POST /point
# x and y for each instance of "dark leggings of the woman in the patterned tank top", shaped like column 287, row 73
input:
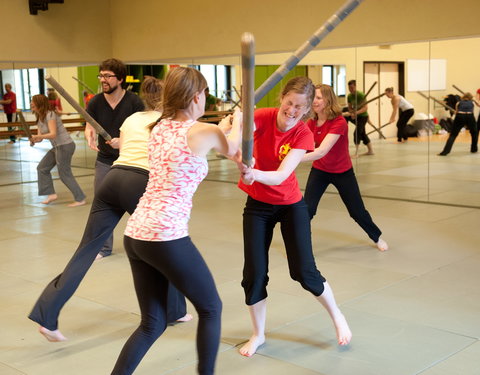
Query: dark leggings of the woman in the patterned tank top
column 154, row 265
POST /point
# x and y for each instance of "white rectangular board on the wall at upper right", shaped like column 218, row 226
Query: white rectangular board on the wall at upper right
column 418, row 72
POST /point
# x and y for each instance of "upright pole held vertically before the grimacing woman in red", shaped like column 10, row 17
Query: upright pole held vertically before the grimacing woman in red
column 248, row 94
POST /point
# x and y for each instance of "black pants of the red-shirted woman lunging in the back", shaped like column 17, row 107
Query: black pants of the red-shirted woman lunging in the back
column 347, row 186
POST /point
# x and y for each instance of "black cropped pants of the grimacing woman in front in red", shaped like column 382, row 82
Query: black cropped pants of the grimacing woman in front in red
column 259, row 220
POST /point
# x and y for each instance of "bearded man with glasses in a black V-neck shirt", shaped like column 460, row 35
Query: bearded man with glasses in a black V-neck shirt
column 110, row 109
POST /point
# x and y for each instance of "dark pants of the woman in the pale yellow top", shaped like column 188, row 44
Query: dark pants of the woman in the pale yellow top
column 119, row 193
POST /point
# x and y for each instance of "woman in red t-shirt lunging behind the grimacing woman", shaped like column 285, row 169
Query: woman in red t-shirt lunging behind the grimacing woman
column 332, row 164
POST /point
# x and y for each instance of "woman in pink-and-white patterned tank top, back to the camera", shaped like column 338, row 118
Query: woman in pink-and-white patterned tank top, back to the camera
column 156, row 238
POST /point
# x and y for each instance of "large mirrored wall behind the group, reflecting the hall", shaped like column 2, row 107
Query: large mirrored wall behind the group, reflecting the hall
column 423, row 73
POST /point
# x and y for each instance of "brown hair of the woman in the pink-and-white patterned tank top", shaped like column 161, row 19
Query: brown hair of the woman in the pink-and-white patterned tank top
column 180, row 86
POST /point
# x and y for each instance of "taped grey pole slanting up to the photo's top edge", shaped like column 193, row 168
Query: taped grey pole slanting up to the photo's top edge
column 305, row 48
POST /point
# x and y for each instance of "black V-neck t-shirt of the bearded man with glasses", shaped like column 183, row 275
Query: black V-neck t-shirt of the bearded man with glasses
column 111, row 120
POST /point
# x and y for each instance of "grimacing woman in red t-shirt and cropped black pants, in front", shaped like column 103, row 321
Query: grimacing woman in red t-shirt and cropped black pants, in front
column 280, row 141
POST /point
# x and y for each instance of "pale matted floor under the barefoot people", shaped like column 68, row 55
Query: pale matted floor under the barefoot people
column 413, row 310
